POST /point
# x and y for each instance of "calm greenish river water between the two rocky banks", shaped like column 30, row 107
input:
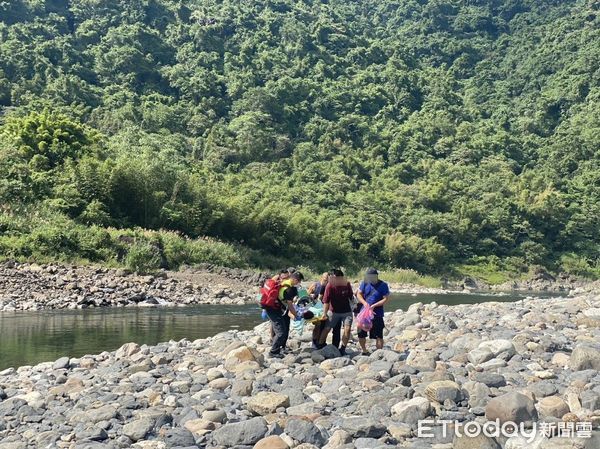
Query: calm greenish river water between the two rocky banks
column 27, row 338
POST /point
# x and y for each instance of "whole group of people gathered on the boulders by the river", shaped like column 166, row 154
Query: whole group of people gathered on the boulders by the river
column 334, row 304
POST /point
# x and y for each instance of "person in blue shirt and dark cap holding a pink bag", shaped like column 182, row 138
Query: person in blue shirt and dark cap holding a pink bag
column 373, row 293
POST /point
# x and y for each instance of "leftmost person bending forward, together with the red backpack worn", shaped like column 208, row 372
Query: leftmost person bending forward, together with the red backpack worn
column 278, row 301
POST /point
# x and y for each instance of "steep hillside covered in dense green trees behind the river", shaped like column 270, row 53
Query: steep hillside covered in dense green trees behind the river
column 435, row 135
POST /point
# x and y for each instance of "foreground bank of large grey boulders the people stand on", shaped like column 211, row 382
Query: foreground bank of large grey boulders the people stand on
column 531, row 361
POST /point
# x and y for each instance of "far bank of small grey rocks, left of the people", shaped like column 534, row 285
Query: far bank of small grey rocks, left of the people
column 39, row 287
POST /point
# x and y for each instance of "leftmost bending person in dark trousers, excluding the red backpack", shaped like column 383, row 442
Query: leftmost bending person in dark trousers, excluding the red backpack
column 280, row 318
